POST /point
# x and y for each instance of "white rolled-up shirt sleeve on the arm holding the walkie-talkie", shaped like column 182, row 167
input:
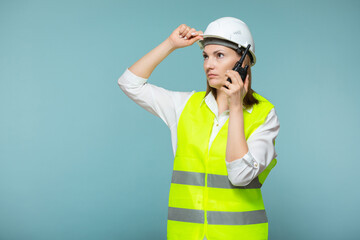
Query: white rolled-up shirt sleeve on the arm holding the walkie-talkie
column 261, row 144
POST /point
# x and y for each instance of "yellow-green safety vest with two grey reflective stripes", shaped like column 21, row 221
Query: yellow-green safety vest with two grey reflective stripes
column 203, row 204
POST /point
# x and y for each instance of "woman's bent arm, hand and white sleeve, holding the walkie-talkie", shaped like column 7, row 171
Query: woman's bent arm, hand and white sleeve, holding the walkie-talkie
column 247, row 159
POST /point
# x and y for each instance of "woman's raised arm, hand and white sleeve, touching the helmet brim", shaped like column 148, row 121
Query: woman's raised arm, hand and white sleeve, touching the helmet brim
column 158, row 101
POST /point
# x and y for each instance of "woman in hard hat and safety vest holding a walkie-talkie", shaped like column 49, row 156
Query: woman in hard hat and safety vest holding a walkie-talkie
column 223, row 139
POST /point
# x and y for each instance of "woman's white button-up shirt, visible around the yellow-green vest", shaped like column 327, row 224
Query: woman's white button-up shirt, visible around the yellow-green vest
column 168, row 106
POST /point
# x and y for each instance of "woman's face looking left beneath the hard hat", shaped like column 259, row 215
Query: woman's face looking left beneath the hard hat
column 218, row 59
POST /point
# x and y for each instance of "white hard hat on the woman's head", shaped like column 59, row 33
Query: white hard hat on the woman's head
column 231, row 29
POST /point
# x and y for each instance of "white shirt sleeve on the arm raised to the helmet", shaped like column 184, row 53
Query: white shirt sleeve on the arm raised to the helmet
column 160, row 102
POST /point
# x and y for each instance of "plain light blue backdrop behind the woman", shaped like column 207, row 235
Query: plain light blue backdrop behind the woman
column 79, row 160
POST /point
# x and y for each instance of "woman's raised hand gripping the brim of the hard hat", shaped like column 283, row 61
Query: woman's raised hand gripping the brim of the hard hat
column 184, row 36
